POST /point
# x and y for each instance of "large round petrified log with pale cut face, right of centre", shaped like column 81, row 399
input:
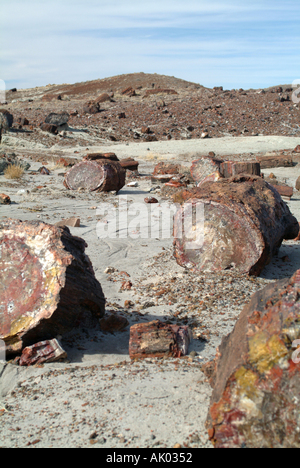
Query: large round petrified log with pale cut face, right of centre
column 245, row 222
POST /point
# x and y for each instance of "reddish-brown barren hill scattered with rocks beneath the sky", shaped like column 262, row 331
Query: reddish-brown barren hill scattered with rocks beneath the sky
column 154, row 108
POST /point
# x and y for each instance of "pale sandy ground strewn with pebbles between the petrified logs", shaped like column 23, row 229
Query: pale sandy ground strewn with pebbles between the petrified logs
column 99, row 398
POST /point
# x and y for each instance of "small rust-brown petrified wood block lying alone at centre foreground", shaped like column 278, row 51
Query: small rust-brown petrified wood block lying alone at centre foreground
column 158, row 339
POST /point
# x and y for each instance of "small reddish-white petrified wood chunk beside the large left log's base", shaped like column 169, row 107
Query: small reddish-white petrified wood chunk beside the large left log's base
column 44, row 351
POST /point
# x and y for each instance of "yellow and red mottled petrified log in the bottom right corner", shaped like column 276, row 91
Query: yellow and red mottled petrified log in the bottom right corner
column 256, row 379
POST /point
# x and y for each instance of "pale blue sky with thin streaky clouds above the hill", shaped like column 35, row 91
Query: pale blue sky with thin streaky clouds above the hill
column 235, row 44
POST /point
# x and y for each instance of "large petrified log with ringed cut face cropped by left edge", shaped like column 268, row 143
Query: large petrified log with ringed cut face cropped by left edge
column 47, row 283
